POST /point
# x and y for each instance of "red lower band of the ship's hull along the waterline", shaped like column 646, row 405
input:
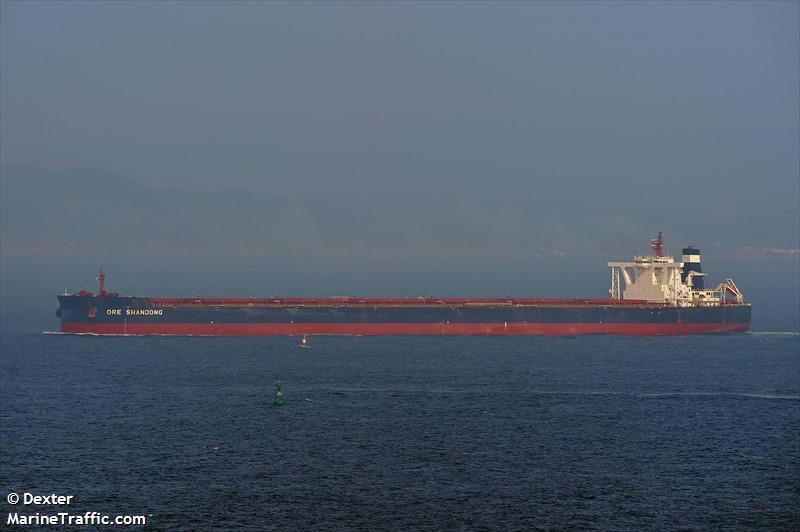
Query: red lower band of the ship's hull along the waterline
column 387, row 329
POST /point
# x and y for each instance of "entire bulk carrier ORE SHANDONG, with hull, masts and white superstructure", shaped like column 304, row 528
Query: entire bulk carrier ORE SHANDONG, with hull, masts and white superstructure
column 653, row 295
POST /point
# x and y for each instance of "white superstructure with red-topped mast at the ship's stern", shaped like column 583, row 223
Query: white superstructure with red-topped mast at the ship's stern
column 659, row 279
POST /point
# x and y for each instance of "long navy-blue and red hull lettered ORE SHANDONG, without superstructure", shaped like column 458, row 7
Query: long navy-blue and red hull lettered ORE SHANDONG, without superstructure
column 113, row 315
